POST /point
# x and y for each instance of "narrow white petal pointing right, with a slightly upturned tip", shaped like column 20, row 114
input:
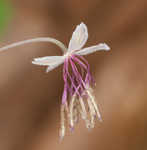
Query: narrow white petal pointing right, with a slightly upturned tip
column 93, row 49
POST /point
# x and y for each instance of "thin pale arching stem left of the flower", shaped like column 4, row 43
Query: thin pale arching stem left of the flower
column 42, row 39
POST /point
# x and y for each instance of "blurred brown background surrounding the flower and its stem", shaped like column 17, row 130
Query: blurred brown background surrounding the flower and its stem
column 30, row 99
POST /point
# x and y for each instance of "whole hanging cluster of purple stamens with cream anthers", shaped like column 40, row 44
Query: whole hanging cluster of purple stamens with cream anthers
column 78, row 100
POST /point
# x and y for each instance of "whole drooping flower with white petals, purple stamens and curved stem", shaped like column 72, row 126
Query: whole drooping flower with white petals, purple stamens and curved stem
column 78, row 100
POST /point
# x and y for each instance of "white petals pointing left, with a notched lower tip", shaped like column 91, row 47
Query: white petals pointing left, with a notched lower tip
column 50, row 61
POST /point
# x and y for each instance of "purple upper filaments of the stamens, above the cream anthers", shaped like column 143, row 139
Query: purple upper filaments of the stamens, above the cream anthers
column 75, row 80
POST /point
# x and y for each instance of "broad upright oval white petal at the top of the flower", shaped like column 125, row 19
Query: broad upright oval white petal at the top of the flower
column 79, row 37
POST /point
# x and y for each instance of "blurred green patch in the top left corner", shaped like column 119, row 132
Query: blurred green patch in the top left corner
column 5, row 14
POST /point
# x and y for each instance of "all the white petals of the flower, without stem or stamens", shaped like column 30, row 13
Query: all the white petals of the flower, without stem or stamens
column 78, row 40
